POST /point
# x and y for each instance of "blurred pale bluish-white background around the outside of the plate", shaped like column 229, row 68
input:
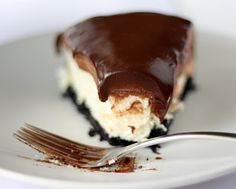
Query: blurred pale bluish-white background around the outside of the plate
column 23, row 18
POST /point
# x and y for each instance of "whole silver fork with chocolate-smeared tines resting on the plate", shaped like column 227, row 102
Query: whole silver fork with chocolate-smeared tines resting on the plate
column 86, row 156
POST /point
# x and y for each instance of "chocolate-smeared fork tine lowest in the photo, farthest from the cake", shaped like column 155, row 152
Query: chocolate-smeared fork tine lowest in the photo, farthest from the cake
column 50, row 150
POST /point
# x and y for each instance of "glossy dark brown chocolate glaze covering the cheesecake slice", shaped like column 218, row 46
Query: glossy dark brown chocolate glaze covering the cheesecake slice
column 135, row 53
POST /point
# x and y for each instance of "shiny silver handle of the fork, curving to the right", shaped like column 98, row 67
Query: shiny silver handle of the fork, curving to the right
column 180, row 136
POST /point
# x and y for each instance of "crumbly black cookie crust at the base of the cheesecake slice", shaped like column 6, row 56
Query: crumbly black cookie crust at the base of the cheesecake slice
column 117, row 141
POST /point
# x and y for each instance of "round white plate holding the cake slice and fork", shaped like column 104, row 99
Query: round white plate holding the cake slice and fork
column 29, row 93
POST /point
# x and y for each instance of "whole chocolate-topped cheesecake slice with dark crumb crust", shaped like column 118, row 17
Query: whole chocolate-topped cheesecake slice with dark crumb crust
column 128, row 73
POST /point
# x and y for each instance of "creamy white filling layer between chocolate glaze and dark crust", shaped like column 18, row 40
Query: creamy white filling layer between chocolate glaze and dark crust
column 129, row 118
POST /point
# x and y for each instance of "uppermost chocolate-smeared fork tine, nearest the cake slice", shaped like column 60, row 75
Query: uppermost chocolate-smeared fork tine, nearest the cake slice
column 66, row 142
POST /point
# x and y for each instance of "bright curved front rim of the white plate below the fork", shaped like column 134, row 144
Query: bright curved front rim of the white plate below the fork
column 173, row 182
